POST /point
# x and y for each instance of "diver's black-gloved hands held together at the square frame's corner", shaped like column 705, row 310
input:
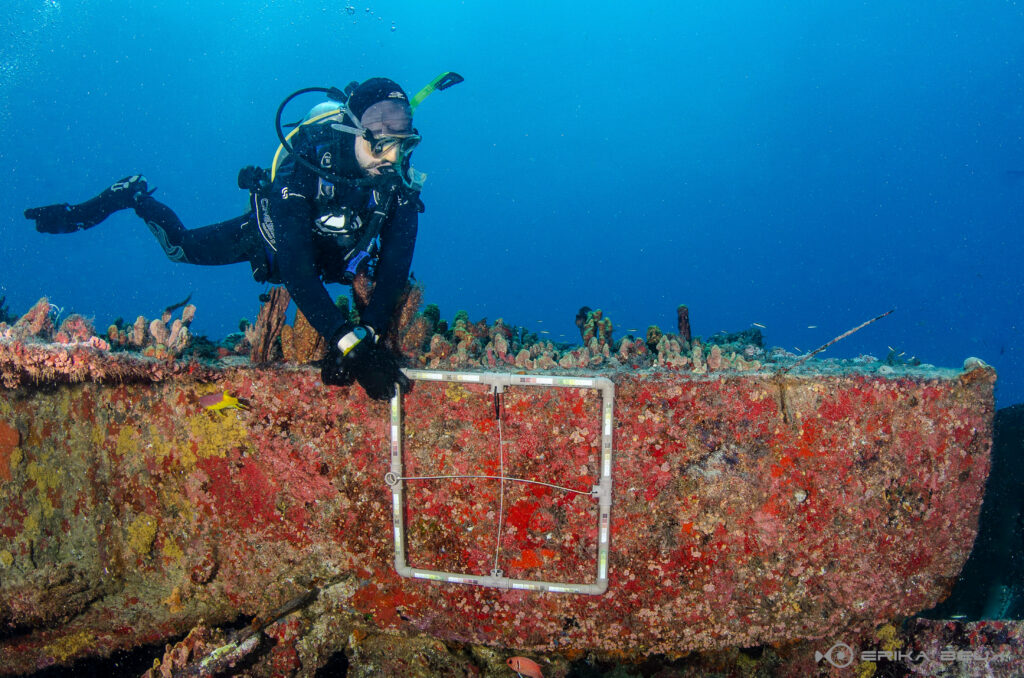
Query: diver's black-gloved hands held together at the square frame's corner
column 356, row 356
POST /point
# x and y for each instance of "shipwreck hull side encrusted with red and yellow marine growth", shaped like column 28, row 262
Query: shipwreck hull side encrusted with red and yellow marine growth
column 746, row 510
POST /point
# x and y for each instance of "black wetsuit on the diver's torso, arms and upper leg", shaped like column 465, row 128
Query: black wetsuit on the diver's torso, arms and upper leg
column 284, row 242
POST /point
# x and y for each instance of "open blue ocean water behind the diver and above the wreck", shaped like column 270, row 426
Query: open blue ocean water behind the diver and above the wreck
column 801, row 165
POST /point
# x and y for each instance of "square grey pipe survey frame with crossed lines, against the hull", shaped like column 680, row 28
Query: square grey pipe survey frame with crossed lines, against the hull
column 602, row 492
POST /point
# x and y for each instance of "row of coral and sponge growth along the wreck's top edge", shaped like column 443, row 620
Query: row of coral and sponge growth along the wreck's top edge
column 419, row 335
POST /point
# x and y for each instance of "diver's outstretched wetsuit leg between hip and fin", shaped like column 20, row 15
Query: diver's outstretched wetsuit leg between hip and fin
column 229, row 242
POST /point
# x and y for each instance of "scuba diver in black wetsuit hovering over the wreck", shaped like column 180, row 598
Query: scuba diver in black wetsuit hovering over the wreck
column 342, row 199
